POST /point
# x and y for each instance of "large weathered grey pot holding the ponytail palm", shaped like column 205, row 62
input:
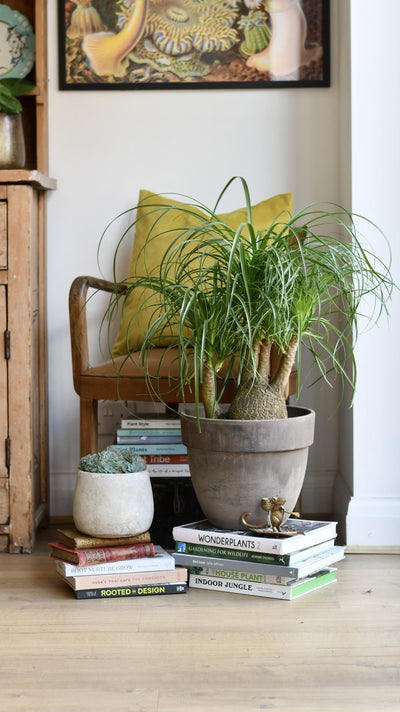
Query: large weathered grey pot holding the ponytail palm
column 235, row 463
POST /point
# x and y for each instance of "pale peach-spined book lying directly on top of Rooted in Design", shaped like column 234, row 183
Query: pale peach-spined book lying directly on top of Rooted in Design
column 140, row 578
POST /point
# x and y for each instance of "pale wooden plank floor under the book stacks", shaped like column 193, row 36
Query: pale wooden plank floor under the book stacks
column 335, row 649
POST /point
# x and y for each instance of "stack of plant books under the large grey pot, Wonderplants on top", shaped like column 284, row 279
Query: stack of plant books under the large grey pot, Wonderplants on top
column 273, row 566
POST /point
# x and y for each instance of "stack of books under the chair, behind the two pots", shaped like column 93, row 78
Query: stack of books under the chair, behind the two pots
column 159, row 442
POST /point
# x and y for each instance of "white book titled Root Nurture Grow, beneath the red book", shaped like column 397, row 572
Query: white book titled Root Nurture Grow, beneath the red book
column 162, row 561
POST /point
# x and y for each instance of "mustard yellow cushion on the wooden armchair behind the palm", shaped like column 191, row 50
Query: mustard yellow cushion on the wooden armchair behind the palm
column 141, row 306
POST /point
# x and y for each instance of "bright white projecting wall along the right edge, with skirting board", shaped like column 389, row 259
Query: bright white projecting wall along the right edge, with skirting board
column 374, row 509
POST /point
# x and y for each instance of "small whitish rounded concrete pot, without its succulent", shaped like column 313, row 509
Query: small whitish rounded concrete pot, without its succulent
column 113, row 505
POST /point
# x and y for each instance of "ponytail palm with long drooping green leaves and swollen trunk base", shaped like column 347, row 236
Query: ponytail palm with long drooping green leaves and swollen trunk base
column 230, row 296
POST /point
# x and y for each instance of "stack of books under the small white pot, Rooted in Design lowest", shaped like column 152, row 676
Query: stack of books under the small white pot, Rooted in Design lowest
column 115, row 568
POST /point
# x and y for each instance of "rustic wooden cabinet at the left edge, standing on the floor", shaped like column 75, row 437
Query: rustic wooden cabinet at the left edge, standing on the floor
column 23, row 389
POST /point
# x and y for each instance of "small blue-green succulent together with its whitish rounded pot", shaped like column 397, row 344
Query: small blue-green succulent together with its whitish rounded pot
column 113, row 495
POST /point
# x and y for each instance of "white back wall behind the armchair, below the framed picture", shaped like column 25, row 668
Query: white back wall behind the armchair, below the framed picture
column 105, row 146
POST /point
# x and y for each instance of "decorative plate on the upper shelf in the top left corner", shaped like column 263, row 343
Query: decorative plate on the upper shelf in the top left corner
column 17, row 44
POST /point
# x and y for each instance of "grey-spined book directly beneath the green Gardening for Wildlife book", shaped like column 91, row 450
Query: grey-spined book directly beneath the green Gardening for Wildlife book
column 309, row 566
